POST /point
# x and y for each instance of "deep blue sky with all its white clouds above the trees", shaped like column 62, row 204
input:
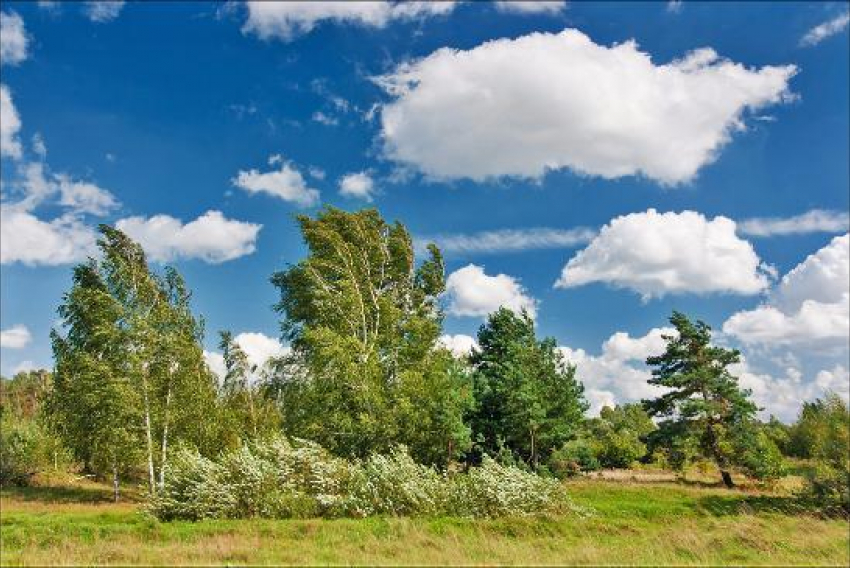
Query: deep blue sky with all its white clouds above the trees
column 549, row 120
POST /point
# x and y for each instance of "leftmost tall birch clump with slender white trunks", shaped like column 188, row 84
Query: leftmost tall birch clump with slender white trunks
column 130, row 372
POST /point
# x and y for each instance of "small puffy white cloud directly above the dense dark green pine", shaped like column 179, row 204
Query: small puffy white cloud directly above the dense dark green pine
column 472, row 293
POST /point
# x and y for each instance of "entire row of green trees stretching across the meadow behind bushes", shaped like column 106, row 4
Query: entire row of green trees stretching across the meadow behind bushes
column 366, row 372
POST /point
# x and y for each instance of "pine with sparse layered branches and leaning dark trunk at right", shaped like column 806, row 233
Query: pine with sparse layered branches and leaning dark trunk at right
column 703, row 399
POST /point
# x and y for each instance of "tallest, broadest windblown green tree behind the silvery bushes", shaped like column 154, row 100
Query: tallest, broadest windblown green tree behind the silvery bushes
column 366, row 371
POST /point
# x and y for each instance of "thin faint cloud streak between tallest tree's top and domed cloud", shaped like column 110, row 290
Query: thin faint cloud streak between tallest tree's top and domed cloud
column 509, row 240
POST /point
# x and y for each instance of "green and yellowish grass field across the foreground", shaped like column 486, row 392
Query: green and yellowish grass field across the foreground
column 630, row 522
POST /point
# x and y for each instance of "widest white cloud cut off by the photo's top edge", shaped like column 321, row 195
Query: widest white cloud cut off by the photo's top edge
column 287, row 20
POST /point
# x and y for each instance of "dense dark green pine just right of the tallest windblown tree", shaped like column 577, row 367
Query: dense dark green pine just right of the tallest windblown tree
column 526, row 396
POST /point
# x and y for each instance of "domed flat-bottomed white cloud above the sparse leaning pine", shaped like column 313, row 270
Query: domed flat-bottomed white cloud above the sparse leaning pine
column 656, row 254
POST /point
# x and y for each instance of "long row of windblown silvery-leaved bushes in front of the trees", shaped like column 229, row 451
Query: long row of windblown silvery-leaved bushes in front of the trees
column 277, row 479
